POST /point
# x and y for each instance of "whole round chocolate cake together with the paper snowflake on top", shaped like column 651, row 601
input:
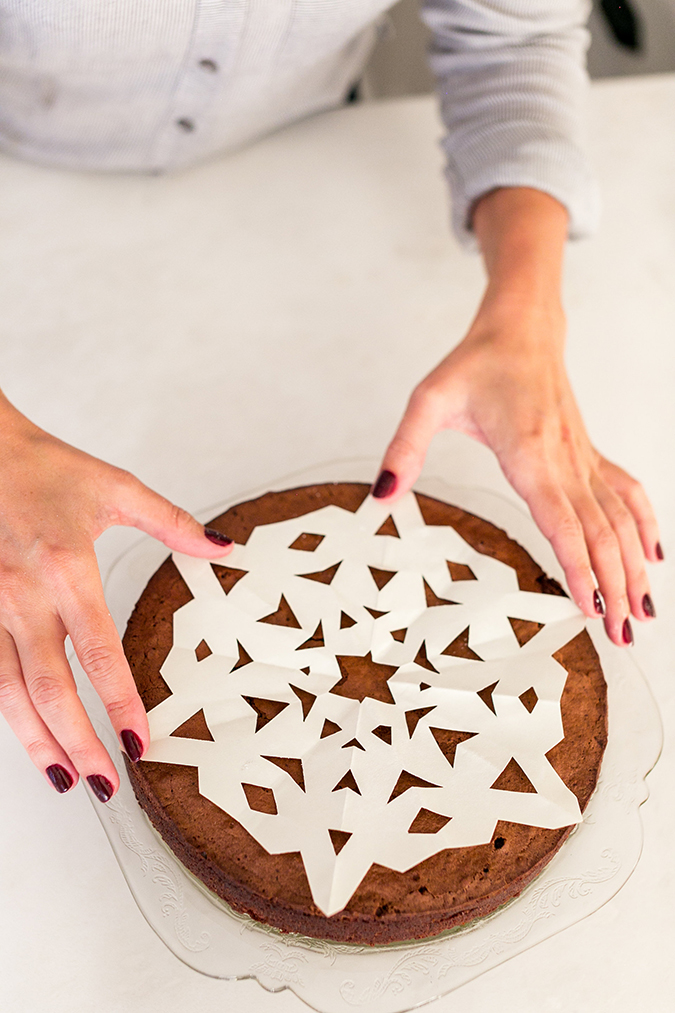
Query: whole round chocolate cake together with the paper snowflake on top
column 374, row 771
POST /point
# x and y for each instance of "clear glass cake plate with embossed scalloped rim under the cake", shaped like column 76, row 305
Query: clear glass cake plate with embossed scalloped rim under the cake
column 592, row 866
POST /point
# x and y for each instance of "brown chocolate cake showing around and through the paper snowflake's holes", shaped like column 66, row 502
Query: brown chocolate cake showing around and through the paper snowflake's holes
column 447, row 889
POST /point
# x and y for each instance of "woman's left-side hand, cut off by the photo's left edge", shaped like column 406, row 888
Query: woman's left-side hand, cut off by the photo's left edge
column 54, row 502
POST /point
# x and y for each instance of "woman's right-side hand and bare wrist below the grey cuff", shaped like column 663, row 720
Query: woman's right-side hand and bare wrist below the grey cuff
column 506, row 385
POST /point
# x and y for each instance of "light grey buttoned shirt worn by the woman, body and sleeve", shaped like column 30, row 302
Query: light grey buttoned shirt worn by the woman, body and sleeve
column 158, row 85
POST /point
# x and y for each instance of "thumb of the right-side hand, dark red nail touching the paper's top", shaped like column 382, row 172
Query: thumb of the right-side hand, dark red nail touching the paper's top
column 406, row 454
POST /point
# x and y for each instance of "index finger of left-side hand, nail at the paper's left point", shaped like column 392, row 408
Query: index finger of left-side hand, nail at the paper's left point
column 97, row 643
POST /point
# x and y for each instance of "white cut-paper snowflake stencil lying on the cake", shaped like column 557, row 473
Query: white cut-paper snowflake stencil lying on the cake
column 315, row 751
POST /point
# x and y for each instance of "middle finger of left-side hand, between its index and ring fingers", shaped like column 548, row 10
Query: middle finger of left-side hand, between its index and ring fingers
column 52, row 689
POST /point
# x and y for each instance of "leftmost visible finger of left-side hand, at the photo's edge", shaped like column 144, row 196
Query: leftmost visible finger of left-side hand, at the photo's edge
column 28, row 726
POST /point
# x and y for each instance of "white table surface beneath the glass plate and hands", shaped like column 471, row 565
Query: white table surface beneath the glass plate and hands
column 218, row 329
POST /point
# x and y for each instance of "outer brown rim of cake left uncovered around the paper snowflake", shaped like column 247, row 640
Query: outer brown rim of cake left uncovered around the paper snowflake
column 447, row 890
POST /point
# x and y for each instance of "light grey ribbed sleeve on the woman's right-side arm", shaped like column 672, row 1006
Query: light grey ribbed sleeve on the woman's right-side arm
column 513, row 88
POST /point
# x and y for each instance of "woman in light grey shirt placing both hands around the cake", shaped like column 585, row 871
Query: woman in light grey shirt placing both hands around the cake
column 152, row 87
